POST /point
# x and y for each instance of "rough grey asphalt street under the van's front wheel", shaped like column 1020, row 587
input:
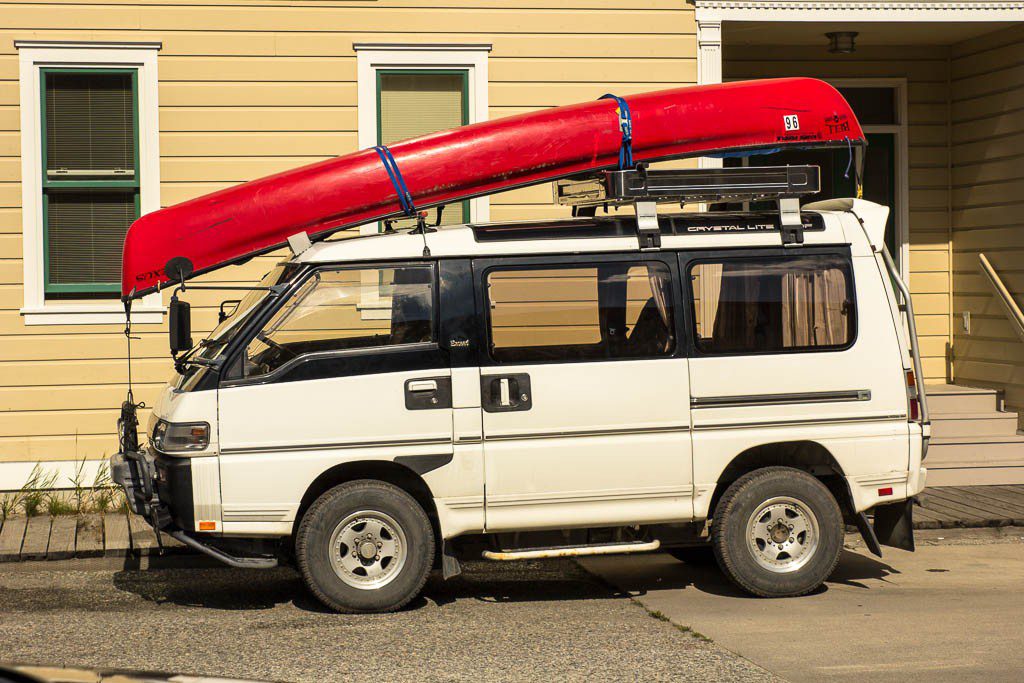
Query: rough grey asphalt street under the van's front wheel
column 537, row 622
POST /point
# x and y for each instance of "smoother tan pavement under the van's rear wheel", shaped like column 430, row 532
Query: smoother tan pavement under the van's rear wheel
column 952, row 612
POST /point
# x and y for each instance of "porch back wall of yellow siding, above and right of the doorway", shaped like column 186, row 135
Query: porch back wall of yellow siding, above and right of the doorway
column 926, row 70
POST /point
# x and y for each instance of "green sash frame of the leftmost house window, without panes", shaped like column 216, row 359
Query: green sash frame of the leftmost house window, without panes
column 123, row 185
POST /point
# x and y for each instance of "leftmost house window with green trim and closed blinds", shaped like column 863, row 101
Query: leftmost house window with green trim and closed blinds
column 91, row 178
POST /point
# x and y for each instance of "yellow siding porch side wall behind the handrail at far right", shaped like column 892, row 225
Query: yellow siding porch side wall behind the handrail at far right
column 989, row 206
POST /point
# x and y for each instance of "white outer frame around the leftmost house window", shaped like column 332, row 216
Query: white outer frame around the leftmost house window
column 34, row 56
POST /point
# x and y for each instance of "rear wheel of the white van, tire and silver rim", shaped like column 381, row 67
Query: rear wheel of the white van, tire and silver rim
column 778, row 533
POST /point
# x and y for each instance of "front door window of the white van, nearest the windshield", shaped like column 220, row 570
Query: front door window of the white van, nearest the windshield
column 345, row 310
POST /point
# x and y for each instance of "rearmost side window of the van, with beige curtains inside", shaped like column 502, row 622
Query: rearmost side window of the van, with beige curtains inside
column 774, row 306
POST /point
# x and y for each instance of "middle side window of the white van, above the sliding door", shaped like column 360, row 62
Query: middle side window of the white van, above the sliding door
column 581, row 313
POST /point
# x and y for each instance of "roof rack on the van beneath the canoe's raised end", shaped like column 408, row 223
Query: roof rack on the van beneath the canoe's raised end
column 646, row 190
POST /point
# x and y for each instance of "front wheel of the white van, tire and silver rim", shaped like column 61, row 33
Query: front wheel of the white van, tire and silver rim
column 353, row 519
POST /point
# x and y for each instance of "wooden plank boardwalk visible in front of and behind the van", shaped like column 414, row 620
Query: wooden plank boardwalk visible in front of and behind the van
column 120, row 535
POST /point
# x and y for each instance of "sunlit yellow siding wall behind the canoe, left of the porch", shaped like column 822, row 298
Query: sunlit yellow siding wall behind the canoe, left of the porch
column 248, row 89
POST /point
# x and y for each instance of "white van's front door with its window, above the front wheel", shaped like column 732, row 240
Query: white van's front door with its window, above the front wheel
column 348, row 369
